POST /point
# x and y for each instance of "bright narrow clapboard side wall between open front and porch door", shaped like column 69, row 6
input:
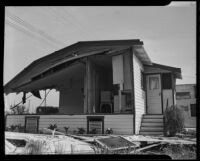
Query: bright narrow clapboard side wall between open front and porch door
column 139, row 93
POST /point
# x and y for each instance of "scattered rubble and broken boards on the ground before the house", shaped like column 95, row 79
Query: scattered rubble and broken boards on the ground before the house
column 54, row 142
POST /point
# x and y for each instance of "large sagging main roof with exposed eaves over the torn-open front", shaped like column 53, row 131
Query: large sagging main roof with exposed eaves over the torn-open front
column 61, row 59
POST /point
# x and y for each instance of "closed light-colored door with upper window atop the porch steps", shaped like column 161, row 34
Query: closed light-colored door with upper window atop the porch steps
column 154, row 105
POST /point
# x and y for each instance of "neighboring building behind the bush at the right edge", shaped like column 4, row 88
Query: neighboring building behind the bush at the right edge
column 186, row 100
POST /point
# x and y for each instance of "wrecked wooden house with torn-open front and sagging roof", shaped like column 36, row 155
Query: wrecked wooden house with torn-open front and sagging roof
column 102, row 84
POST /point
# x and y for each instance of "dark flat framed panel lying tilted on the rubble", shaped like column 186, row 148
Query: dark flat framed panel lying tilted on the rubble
column 115, row 143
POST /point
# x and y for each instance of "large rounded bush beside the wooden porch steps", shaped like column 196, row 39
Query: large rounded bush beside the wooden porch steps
column 173, row 120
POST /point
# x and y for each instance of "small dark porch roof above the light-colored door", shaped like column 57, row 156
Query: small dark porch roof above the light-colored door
column 173, row 70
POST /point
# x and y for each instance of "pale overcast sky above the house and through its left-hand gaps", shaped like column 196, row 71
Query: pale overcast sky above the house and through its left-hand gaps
column 168, row 33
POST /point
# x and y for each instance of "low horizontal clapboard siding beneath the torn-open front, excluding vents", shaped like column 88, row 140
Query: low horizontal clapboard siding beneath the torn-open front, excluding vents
column 121, row 124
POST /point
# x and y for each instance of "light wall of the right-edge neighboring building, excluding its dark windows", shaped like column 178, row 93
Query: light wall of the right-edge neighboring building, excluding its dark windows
column 185, row 103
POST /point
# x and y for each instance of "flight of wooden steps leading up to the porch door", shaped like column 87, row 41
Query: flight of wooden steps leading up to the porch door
column 152, row 125
